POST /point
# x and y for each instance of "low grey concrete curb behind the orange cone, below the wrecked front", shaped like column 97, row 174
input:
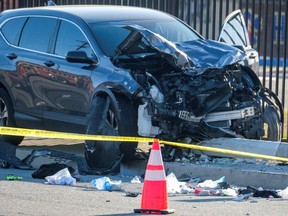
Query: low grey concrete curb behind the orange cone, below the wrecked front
column 275, row 177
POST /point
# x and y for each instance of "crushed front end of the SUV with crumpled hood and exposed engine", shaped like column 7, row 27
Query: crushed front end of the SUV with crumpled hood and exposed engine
column 197, row 89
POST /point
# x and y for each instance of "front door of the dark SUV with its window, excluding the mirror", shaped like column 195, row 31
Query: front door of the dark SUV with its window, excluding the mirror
column 66, row 86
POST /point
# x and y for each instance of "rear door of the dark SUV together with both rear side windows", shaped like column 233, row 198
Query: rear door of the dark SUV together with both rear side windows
column 25, row 62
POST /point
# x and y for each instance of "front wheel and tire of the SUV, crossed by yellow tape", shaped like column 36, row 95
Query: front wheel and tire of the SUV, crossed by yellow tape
column 108, row 118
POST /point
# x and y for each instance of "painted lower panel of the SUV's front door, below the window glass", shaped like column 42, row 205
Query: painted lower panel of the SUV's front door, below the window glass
column 66, row 91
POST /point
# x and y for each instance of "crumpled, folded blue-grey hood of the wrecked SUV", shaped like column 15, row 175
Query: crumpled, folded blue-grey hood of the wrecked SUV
column 193, row 56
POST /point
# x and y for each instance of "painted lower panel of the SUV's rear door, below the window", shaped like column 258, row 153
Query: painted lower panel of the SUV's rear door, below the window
column 22, row 77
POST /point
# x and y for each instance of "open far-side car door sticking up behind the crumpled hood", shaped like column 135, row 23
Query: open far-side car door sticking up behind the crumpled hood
column 234, row 32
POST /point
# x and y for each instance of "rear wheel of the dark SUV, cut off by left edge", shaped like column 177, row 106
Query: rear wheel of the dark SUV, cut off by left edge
column 7, row 117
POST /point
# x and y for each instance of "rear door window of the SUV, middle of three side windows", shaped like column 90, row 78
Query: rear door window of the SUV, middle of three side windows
column 36, row 33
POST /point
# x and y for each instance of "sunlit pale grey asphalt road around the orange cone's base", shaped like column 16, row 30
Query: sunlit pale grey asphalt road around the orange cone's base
column 29, row 197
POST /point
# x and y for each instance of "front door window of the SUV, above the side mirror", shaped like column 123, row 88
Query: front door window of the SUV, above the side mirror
column 70, row 38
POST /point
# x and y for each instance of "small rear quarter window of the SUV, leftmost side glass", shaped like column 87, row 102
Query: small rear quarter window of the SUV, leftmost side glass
column 12, row 29
